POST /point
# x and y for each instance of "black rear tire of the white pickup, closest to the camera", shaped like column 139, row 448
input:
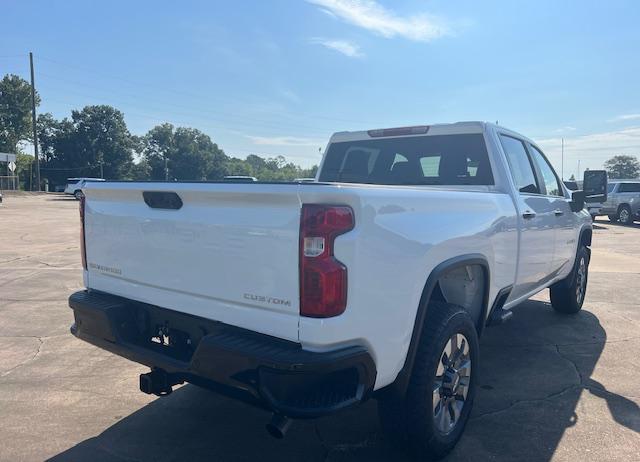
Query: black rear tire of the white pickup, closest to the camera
column 413, row 419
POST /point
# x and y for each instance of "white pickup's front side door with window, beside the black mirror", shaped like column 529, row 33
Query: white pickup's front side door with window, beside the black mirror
column 564, row 219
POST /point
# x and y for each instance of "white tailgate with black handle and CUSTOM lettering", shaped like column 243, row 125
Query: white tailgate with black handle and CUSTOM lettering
column 229, row 253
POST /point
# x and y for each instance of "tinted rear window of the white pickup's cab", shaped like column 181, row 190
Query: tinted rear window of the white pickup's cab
column 415, row 160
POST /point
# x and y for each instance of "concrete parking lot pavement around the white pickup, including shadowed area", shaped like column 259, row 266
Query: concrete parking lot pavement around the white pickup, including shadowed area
column 551, row 387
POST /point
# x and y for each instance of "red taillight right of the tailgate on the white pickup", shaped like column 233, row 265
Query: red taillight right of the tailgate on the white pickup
column 323, row 279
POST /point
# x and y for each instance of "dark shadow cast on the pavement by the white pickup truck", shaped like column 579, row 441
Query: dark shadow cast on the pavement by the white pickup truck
column 533, row 371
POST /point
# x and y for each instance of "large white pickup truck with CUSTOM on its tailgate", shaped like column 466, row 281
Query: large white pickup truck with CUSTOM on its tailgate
column 375, row 281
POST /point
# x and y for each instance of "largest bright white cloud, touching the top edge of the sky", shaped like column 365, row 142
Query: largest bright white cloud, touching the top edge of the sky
column 375, row 18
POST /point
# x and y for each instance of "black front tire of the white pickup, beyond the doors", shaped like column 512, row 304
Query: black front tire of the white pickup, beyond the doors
column 565, row 296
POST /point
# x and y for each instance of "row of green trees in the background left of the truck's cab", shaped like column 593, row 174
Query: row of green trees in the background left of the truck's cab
column 95, row 141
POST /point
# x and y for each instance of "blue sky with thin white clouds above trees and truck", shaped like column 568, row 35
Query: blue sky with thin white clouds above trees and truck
column 278, row 77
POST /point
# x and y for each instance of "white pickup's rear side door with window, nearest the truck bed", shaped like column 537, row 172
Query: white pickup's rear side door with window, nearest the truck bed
column 536, row 220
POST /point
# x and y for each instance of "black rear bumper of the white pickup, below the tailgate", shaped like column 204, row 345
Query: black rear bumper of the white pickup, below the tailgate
column 269, row 372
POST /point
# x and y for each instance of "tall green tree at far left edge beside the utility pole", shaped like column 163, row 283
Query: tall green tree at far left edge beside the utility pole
column 15, row 112
